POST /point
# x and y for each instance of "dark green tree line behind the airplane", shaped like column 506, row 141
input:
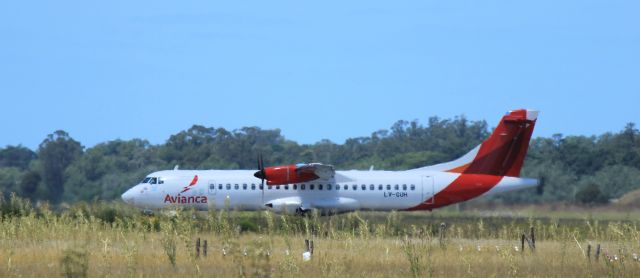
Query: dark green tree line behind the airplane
column 574, row 169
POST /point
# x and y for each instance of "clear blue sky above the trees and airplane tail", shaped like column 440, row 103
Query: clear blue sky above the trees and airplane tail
column 103, row 70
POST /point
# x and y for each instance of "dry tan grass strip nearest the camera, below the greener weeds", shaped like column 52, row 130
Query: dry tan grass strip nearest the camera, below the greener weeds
column 143, row 256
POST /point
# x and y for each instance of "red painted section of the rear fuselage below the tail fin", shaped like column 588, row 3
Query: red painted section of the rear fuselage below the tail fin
column 465, row 187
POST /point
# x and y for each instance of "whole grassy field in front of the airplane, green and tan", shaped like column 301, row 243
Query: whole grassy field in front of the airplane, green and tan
column 112, row 240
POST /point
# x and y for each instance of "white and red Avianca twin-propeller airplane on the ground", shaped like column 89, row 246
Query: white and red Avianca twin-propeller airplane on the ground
column 491, row 167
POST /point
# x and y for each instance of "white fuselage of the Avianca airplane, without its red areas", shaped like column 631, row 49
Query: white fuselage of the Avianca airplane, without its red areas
column 347, row 191
